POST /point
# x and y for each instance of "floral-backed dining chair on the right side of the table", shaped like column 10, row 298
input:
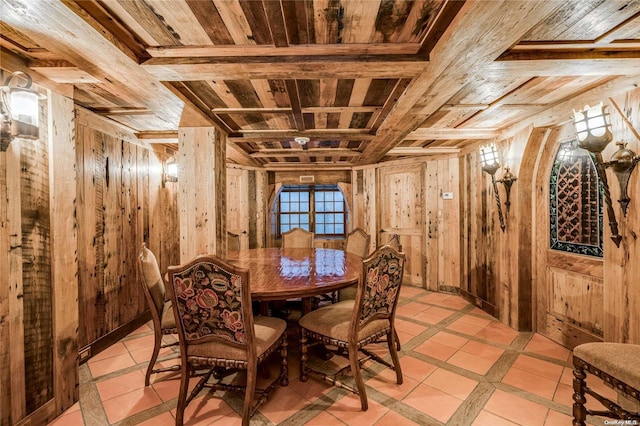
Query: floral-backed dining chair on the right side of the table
column 353, row 325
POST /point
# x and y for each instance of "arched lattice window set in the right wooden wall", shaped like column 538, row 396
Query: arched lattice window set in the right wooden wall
column 575, row 202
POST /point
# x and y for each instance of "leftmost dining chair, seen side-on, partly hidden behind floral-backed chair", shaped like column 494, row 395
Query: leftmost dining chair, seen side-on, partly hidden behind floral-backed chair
column 161, row 309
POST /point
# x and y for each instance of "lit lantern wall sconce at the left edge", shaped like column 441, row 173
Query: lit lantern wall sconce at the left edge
column 18, row 110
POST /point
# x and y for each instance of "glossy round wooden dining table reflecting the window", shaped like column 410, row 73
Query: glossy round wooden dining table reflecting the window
column 286, row 273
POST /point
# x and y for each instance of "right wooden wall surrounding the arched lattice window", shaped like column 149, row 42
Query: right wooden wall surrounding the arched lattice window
column 569, row 298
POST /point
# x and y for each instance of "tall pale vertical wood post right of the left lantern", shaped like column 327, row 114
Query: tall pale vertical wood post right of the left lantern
column 64, row 247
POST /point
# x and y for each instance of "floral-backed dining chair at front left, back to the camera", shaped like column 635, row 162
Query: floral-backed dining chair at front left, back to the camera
column 217, row 330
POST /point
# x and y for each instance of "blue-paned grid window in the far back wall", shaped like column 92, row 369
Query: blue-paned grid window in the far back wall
column 317, row 208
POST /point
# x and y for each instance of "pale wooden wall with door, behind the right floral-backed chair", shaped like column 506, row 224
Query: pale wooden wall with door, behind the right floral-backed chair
column 405, row 197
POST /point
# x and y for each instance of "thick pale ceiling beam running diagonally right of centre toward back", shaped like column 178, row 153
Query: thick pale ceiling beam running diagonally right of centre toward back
column 469, row 48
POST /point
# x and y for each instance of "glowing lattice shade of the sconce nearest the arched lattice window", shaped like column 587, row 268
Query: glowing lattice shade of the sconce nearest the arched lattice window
column 593, row 127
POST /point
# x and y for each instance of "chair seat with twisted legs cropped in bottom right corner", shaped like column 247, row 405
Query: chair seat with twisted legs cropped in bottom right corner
column 616, row 364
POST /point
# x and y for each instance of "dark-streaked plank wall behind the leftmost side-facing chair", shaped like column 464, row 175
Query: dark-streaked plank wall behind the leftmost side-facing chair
column 122, row 203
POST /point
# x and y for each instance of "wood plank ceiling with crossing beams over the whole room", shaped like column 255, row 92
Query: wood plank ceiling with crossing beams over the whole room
column 364, row 80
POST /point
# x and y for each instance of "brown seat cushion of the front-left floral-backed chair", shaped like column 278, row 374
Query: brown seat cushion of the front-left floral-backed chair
column 267, row 332
